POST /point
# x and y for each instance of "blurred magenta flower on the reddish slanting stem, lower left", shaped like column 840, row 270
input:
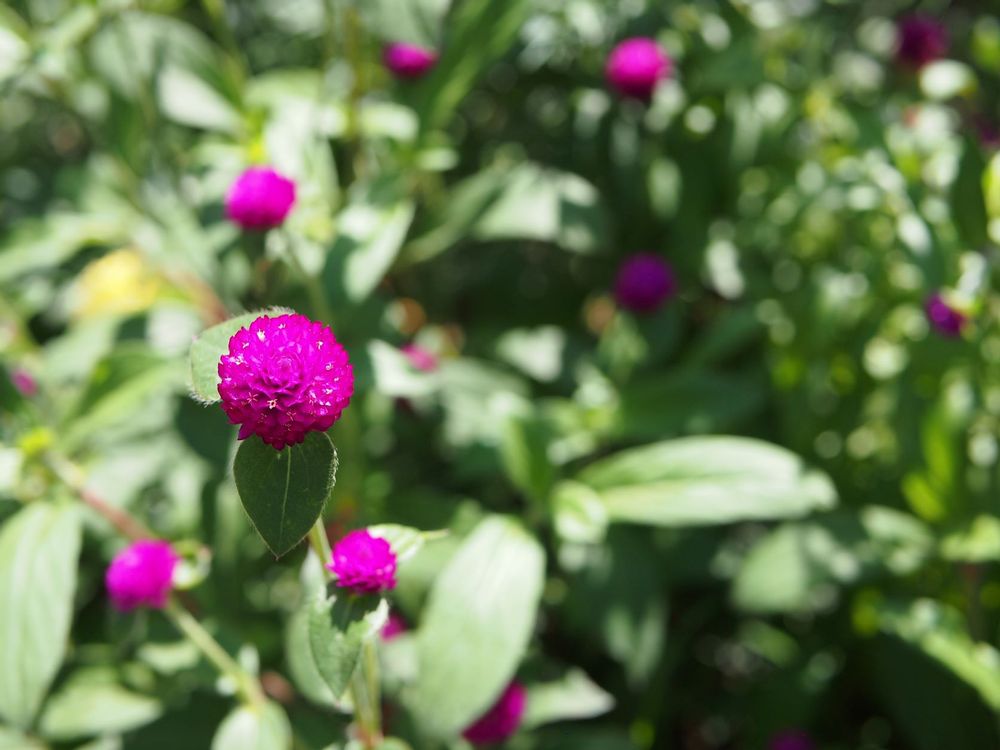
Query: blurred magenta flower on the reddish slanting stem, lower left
column 141, row 575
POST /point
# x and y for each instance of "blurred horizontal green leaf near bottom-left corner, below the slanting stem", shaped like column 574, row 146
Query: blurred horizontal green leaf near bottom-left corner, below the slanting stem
column 88, row 706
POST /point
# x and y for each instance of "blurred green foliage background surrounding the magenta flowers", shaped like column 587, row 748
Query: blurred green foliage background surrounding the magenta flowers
column 772, row 505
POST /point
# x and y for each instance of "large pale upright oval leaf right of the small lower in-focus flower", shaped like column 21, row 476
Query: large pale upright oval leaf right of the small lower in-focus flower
column 476, row 625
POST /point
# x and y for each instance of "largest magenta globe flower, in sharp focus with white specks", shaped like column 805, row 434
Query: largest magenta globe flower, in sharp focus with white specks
column 284, row 377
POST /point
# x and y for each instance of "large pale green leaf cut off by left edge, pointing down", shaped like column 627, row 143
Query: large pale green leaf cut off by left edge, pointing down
column 39, row 547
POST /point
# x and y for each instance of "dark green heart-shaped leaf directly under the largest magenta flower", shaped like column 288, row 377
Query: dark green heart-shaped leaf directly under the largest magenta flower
column 283, row 492
